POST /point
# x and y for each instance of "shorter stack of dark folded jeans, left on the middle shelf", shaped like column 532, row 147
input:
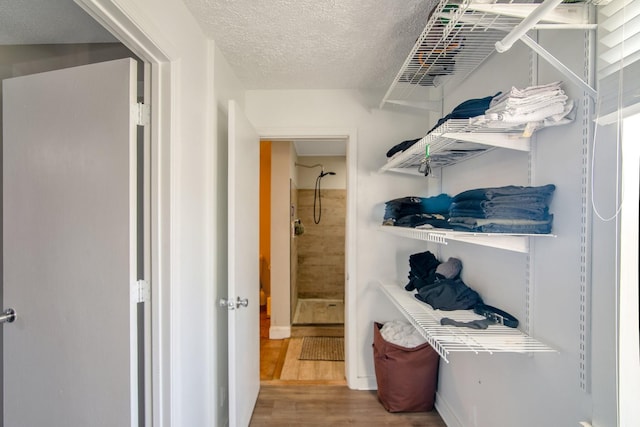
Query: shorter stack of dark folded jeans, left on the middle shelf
column 413, row 211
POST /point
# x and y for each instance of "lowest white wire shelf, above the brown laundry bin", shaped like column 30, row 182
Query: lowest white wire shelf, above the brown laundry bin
column 450, row 339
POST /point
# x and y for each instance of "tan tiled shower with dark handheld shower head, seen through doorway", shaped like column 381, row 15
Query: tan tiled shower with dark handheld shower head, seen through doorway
column 318, row 245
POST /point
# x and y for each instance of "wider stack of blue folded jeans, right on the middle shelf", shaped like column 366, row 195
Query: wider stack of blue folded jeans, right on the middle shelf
column 510, row 209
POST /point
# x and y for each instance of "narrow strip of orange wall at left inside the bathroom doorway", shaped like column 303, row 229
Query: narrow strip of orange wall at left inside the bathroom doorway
column 265, row 211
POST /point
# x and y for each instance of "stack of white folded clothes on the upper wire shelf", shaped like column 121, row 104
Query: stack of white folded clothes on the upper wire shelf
column 533, row 107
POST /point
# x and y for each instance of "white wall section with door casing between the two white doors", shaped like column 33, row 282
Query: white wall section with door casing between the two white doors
column 171, row 36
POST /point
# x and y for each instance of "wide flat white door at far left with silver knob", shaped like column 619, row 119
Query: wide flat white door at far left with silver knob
column 69, row 208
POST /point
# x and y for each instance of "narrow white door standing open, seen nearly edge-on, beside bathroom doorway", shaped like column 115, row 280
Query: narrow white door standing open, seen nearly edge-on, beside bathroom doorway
column 244, row 287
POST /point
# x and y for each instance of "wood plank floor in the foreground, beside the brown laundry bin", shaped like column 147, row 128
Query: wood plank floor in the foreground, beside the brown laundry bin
column 326, row 405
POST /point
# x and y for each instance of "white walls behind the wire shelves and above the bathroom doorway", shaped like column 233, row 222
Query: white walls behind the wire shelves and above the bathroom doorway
column 476, row 390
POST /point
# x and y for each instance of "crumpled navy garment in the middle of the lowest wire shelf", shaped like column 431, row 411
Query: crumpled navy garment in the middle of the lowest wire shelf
column 449, row 294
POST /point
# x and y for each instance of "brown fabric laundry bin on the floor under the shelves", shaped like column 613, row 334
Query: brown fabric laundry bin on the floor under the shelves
column 407, row 377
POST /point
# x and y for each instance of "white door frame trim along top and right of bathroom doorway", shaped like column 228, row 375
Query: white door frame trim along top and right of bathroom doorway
column 349, row 135
